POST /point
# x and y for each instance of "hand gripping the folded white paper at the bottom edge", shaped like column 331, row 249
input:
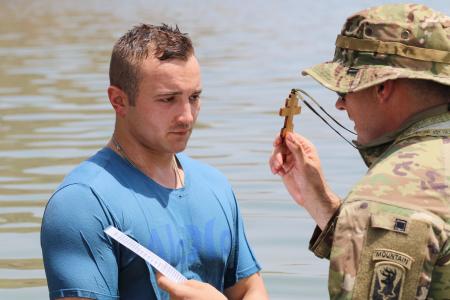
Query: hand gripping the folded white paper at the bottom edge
column 189, row 290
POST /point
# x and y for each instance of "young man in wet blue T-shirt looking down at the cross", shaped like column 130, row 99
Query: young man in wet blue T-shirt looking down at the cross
column 181, row 209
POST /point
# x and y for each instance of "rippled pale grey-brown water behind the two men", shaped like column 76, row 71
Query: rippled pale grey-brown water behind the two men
column 54, row 113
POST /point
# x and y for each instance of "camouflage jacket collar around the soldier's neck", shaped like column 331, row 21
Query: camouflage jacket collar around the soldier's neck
column 432, row 122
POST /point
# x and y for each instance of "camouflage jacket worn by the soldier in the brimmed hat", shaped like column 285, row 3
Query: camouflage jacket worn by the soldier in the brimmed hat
column 390, row 237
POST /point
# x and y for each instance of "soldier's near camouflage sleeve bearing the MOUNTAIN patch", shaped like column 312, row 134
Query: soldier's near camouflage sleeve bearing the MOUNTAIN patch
column 384, row 251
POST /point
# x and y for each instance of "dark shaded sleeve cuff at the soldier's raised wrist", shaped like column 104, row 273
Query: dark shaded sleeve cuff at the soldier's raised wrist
column 321, row 241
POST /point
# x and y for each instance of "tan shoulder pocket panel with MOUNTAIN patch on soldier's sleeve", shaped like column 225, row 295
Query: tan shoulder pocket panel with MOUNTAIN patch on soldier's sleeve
column 392, row 258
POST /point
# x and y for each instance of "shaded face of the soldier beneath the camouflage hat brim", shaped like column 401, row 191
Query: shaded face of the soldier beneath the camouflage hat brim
column 363, row 109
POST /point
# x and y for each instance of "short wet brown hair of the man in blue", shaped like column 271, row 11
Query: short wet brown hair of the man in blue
column 162, row 42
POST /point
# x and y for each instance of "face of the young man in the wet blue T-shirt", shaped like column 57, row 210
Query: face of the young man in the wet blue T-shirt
column 166, row 106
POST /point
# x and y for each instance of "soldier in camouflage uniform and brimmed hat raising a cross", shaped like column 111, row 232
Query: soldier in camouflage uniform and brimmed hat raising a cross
column 389, row 239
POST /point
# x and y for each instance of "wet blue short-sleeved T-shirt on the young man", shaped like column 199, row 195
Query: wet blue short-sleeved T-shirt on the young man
column 197, row 229
